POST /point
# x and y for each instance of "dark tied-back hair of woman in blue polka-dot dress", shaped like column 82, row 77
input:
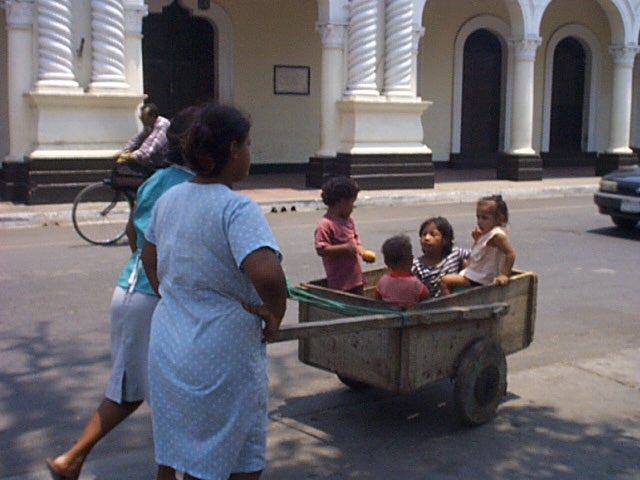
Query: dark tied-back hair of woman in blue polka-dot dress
column 207, row 146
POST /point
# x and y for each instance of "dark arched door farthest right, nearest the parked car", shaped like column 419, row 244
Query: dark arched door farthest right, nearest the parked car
column 567, row 98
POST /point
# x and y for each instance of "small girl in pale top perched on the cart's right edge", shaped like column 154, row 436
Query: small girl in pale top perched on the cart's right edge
column 492, row 255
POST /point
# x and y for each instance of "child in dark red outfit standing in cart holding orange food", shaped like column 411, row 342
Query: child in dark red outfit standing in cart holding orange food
column 336, row 238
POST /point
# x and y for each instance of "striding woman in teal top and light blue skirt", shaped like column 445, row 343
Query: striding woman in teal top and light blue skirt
column 131, row 310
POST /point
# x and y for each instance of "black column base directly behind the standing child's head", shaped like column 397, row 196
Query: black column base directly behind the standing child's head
column 375, row 171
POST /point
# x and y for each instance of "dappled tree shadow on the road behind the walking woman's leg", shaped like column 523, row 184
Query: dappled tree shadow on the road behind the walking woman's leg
column 49, row 389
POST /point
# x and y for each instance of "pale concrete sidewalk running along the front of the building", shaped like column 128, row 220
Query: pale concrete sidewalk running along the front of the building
column 279, row 192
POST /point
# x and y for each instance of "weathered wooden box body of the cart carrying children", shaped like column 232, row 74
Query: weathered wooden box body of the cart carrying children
column 404, row 359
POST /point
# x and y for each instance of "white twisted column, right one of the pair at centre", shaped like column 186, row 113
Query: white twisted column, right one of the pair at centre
column 398, row 48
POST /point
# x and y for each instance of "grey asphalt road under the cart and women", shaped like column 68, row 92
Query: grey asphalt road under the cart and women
column 55, row 292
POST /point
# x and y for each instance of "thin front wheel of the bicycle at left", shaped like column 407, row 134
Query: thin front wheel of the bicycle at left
column 100, row 213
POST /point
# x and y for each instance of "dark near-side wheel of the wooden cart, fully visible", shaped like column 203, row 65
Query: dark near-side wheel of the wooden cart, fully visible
column 480, row 382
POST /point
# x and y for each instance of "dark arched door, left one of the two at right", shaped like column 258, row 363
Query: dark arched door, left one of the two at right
column 481, row 99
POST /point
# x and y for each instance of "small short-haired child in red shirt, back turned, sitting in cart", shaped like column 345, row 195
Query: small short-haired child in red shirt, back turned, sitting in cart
column 399, row 286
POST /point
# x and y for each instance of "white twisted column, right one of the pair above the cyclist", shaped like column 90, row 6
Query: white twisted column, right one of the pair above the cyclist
column 107, row 37
